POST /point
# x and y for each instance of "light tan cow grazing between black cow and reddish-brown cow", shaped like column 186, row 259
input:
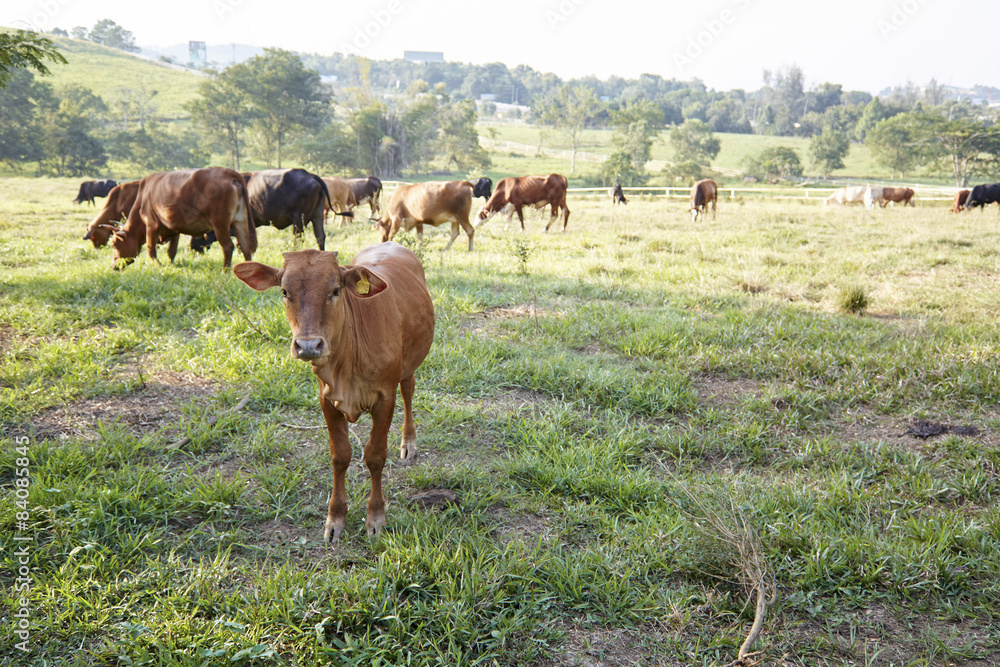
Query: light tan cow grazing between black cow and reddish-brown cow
column 431, row 203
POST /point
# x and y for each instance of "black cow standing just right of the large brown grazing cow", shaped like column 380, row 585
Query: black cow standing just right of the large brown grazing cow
column 289, row 197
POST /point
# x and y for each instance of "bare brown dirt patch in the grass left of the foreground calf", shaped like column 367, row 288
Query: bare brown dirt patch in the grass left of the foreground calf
column 155, row 405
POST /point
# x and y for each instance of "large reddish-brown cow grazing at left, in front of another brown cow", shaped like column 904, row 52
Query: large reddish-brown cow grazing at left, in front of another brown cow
column 190, row 201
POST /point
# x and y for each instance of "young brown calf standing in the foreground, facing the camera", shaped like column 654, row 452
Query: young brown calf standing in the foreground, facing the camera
column 366, row 328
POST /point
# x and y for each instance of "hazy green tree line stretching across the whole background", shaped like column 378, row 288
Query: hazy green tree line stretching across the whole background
column 393, row 117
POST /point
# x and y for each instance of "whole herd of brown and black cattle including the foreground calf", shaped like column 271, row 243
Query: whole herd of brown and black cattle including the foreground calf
column 365, row 326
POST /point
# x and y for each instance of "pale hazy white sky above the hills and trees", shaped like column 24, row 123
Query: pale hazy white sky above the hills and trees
column 861, row 44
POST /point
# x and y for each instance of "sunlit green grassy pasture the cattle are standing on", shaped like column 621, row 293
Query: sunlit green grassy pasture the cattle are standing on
column 581, row 389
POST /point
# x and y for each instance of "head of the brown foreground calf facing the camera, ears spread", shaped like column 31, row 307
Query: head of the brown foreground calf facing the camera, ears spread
column 316, row 291
